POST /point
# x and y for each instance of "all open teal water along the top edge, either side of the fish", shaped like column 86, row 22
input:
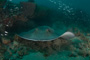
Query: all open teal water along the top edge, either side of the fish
column 81, row 4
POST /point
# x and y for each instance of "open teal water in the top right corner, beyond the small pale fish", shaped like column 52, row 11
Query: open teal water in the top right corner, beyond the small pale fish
column 81, row 4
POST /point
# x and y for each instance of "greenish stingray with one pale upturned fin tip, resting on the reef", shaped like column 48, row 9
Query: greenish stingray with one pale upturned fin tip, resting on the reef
column 44, row 33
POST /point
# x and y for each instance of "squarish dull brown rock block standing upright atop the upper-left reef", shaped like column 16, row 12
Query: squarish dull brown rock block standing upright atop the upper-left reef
column 28, row 8
